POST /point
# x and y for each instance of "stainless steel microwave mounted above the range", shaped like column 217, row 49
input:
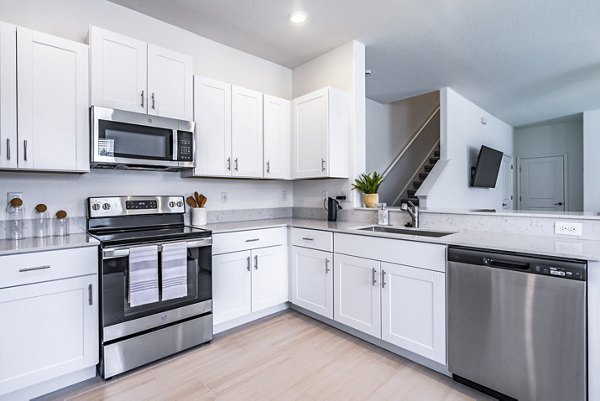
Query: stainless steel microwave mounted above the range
column 126, row 140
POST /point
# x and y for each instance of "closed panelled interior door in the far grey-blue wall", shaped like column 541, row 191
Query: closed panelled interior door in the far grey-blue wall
column 542, row 183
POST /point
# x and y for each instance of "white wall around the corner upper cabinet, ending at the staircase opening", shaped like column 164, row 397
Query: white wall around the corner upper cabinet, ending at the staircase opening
column 342, row 68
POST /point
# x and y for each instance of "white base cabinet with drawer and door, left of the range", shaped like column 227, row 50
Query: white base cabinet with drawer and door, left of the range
column 49, row 309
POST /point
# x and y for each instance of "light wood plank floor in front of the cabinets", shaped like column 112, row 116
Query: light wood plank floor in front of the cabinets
column 286, row 357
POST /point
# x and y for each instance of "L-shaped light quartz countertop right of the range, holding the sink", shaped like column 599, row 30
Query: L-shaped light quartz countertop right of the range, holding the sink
column 531, row 244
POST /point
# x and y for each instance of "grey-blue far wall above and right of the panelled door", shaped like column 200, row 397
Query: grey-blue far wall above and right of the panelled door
column 559, row 138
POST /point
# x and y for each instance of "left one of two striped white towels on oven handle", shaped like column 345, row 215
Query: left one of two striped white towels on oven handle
column 143, row 275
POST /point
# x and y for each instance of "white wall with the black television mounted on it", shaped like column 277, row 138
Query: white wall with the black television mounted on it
column 462, row 135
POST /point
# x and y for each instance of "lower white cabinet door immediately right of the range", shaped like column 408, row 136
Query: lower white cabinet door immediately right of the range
column 231, row 286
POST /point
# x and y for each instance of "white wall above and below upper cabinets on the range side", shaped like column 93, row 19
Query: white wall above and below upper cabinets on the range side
column 70, row 19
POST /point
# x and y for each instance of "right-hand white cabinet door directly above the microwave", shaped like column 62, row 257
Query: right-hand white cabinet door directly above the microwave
column 169, row 83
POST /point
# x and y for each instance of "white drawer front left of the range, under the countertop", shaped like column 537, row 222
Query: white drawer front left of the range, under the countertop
column 36, row 267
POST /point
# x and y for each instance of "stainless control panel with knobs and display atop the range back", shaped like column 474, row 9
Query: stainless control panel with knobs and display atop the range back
column 113, row 206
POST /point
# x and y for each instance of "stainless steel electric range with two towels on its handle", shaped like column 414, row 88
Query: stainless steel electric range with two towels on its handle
column 155, row 278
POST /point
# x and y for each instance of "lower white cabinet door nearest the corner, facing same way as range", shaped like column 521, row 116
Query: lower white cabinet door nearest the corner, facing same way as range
column 269, row 277
